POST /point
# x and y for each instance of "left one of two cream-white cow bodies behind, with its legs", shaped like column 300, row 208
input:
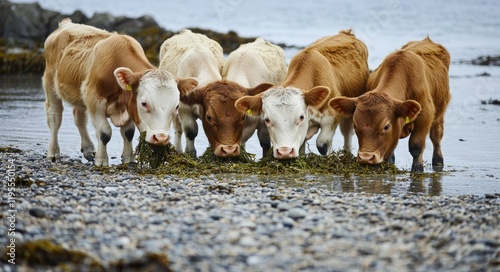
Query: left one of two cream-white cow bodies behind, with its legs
column 189, row 54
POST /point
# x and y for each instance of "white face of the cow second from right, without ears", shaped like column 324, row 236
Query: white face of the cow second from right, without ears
column 285, row 113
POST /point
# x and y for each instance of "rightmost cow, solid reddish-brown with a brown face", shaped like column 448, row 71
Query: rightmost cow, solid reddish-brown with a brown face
column 408, row 95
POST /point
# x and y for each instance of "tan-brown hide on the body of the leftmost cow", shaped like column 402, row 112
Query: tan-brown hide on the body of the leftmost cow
column 89, row 55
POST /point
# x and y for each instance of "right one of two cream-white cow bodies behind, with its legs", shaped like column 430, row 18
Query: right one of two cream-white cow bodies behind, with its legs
column 250, row 65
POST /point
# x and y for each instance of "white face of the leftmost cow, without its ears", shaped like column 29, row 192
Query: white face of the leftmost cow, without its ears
column 157, row 103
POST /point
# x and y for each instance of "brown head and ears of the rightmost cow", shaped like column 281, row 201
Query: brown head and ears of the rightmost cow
column 379, row 122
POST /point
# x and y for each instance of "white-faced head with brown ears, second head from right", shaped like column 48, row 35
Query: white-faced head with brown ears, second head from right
column 286, row 114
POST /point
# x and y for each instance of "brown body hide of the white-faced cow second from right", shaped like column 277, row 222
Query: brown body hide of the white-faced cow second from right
column 339, row 62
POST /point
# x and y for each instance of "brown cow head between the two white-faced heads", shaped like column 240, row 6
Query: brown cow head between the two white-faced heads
column 222, row 122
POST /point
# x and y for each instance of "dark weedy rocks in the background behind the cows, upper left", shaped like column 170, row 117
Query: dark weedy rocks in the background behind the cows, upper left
column 24, row 28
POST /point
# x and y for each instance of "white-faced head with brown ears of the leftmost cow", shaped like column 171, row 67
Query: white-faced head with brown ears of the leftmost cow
column 155, row 100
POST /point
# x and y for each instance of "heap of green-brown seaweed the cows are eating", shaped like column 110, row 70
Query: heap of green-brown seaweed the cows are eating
column 166, row 161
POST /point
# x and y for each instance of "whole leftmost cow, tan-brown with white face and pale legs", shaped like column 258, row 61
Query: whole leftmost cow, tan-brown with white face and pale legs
column 109, row 75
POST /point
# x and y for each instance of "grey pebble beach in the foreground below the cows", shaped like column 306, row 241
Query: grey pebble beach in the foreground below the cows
column 70, row 216
